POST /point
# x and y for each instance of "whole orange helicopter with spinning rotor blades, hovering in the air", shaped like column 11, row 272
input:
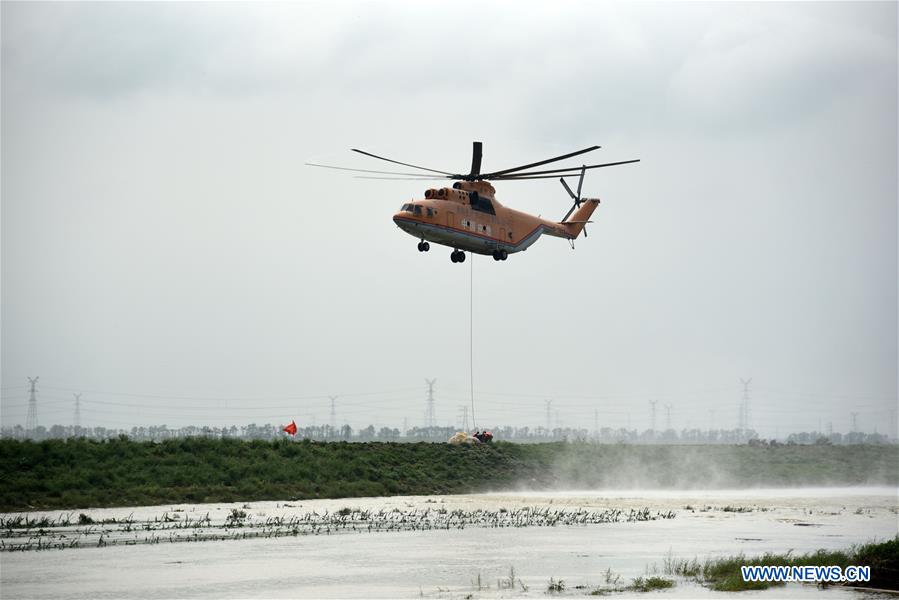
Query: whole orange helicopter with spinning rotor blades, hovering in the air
column 467, row 216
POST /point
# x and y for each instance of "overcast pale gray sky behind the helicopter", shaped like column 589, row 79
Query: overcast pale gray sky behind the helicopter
column 166, row 253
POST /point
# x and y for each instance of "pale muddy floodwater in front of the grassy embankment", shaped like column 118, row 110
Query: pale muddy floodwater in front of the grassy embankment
column 500, row 545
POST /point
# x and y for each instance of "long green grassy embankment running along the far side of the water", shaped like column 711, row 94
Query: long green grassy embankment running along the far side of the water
column 80, row 473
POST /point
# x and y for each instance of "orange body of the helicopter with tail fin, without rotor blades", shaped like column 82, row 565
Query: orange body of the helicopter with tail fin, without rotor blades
column 468, row 217
